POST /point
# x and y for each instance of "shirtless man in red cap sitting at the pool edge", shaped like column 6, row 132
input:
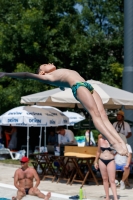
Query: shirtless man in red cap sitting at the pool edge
column 23, row 181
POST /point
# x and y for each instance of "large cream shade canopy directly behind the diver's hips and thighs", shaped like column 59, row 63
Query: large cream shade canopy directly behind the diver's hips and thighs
column 112, row 98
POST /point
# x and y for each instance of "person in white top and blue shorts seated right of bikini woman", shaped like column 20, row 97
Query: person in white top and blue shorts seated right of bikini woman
column 123, row 163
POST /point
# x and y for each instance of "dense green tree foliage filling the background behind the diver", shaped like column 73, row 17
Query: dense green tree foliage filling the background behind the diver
column 83, row 35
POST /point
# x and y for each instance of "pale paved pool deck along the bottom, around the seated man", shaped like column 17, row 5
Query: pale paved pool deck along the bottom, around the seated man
column 60, row 190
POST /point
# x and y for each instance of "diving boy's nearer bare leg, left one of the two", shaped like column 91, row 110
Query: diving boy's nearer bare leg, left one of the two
column 88, row 102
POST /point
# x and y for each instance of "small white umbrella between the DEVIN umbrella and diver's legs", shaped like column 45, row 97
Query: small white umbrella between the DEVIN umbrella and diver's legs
column 73, row 117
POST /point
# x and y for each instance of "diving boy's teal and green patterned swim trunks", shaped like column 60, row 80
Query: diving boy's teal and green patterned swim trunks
column 79, row 84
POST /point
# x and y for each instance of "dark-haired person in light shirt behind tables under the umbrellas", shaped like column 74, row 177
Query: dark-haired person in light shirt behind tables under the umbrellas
column 65, row 136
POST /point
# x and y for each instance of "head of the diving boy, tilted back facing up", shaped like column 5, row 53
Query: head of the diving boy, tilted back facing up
column 45, row 68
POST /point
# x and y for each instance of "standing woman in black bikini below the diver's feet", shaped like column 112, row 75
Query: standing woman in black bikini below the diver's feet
column 105, row 162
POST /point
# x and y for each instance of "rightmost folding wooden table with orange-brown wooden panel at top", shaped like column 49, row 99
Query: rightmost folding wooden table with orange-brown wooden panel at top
column 82, row 156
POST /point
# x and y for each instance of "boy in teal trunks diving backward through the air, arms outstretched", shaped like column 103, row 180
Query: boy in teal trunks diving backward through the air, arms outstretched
column 83, row 92
